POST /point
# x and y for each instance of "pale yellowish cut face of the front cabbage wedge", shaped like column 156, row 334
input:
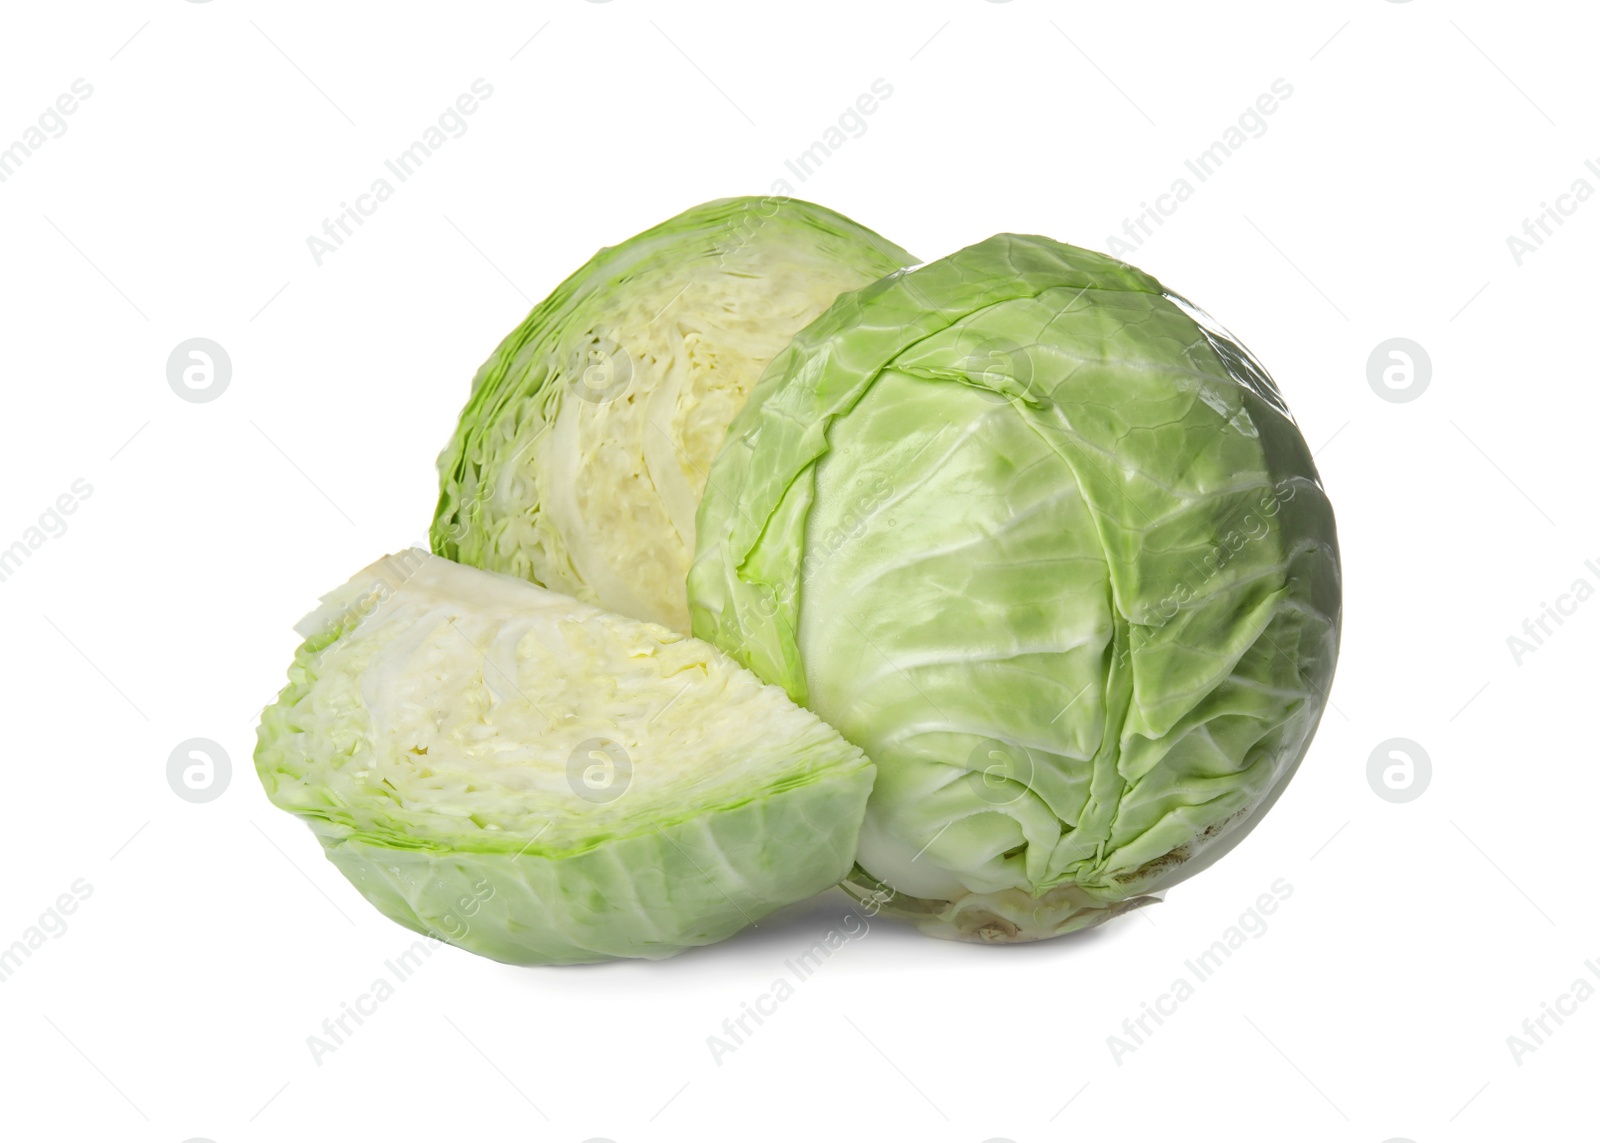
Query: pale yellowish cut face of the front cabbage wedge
column 455, row 702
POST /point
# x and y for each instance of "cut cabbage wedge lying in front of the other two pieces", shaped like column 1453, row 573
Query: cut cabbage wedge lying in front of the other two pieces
column 543, row 782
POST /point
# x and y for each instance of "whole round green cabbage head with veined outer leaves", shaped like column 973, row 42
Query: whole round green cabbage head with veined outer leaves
column 956, row 516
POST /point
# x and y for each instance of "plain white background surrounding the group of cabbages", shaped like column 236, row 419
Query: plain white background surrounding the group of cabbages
column 215, row 942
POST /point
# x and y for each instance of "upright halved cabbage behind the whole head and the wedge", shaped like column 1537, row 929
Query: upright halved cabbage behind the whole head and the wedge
column 583, row 452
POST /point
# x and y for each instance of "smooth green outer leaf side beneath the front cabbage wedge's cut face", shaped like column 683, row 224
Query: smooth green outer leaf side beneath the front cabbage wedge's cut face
column 649, row 897
